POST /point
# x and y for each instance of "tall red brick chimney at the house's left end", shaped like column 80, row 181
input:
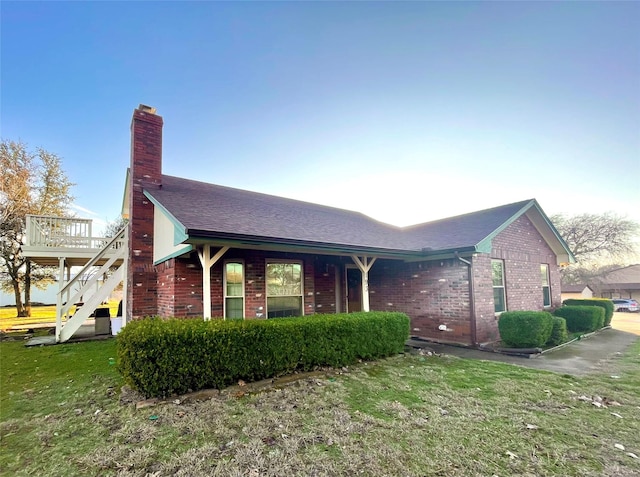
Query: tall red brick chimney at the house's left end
column 145, row 173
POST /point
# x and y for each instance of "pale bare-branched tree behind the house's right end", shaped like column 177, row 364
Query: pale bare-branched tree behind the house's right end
column 598, row 241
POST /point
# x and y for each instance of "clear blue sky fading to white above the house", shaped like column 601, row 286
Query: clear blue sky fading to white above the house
column 407, row 112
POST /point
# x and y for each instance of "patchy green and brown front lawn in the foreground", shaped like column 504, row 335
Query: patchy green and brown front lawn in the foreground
column 63, row 414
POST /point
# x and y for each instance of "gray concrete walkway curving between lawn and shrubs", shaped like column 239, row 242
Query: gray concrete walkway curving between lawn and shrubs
column 578, row 358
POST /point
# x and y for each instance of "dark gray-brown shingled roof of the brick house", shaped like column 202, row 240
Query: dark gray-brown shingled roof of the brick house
column 209, row 210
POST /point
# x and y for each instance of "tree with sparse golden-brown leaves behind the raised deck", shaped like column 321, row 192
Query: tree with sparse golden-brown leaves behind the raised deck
column 30, row 183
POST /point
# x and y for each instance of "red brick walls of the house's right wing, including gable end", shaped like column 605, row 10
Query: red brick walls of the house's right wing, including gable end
column 437, row 293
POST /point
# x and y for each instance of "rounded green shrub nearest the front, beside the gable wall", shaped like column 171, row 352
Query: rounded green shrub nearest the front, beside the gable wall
column 525, row 329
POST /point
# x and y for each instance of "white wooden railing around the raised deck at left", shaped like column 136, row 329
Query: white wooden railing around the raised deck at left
column 63, row 232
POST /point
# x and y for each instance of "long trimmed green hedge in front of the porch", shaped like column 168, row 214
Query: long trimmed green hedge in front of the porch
column 164, row 357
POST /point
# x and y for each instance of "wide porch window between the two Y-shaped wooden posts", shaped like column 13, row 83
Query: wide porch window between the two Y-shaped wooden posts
column 284, row 289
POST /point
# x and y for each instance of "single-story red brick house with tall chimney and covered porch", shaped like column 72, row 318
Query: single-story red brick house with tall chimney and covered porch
column 265, row 256
